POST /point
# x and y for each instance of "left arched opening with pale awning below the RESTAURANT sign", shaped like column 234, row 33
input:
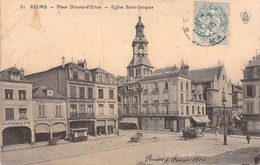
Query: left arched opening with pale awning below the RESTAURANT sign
column 42, row 132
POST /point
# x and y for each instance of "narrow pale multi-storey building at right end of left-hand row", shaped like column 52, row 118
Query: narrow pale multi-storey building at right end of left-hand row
column 105, row 96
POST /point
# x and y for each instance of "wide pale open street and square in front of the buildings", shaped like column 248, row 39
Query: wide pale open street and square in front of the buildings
column 118, row 150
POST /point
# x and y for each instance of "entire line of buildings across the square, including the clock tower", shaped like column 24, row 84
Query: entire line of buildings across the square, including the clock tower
column 70, row 96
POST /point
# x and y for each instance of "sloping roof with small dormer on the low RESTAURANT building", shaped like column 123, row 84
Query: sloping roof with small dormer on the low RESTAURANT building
column 41, row 93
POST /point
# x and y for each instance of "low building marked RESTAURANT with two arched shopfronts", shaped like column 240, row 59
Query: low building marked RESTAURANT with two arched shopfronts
column 49, row 114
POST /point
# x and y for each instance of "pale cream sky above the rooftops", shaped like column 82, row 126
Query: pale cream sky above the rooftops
column 37, row 39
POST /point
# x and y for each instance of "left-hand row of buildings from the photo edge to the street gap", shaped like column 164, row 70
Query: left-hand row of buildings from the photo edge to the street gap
column 52, row 103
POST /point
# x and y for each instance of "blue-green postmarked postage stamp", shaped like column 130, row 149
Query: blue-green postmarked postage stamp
column 211, row 23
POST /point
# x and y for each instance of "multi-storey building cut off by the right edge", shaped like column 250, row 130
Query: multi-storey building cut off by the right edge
column 251, row 104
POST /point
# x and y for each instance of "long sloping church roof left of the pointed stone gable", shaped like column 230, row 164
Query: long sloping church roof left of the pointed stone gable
column 205, row 74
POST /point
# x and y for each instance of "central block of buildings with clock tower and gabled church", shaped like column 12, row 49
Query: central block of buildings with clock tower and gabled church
column 171, row 98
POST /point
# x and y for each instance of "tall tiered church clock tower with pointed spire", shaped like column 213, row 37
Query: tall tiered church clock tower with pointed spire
column 140, row 65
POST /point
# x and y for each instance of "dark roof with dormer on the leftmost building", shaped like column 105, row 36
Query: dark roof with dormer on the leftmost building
column 5, row 75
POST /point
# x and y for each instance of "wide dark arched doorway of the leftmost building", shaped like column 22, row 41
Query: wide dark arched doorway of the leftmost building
column 16, row 135
